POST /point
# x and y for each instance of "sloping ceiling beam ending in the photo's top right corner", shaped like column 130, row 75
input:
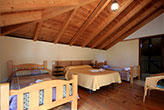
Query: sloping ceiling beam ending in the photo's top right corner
column 137, row 19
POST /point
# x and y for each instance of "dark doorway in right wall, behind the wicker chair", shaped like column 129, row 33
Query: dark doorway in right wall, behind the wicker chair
column 151, row 56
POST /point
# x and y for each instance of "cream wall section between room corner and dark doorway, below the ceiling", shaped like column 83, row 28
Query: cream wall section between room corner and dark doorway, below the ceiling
column 124, row 54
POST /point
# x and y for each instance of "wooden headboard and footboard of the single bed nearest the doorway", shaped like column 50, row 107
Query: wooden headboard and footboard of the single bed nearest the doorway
column 132, row 69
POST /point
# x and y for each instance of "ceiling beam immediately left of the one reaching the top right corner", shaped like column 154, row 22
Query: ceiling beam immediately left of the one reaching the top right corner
column 133, row 8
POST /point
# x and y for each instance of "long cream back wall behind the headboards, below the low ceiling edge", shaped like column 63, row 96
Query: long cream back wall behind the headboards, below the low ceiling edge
column 28, row 51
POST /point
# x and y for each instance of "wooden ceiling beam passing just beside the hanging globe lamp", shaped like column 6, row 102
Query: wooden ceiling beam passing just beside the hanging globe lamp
column 108, row 20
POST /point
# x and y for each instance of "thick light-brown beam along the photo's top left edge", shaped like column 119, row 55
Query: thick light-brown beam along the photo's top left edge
column 23, row 5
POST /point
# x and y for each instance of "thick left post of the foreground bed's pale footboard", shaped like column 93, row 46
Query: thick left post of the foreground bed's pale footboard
column 4, row 96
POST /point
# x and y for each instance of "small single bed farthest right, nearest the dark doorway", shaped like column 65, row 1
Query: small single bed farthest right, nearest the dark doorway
column 127, row 73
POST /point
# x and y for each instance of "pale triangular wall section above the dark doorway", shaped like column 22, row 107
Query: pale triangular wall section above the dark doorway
column 155, row 27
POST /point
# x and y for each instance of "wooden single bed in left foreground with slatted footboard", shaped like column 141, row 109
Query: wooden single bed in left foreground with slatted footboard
column 28, row 89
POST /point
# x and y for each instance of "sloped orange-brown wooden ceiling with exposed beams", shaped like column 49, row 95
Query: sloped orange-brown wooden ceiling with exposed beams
column 85, row 23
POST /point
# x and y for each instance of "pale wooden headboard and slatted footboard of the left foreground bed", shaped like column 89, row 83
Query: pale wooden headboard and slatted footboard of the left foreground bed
column 34, row 89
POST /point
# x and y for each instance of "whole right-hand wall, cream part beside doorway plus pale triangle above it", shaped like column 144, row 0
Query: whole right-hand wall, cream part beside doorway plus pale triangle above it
column 126, row 53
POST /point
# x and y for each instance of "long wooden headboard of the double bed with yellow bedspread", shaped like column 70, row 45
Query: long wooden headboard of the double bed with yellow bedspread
column 73, row 63
